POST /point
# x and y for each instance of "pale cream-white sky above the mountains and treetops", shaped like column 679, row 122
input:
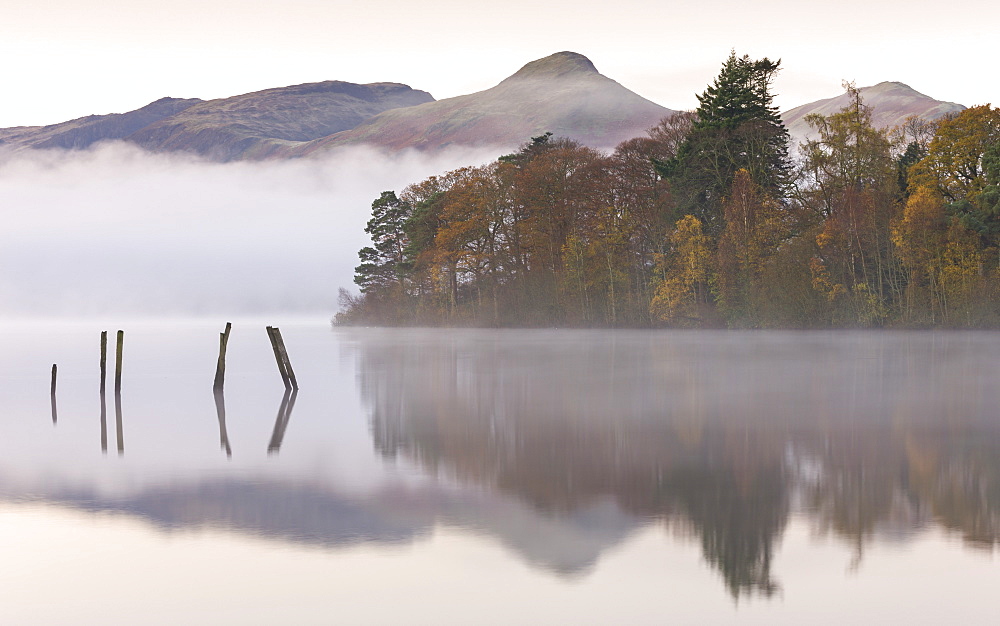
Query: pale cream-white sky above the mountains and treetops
column 67, row 58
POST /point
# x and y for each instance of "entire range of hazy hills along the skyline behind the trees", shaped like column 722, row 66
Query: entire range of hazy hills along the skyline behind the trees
column 563, row 93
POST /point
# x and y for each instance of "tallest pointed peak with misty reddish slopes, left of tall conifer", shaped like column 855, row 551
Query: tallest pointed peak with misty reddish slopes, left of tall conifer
column 562, row 93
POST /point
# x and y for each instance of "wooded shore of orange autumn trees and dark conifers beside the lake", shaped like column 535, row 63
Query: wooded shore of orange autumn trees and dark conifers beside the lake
column 708, row 221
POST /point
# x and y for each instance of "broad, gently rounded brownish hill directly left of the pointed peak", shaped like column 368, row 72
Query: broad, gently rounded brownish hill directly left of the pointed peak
column 255, row 124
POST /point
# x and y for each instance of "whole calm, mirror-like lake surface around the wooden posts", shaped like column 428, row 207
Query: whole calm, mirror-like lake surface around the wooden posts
column 498, row 477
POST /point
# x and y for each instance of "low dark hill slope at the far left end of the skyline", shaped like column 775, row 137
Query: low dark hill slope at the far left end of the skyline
column 84, row 131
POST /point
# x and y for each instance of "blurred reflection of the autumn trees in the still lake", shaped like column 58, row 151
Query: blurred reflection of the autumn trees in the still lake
column 723, row 435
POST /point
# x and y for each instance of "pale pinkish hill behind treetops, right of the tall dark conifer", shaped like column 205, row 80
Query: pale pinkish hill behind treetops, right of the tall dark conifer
column 891, row 104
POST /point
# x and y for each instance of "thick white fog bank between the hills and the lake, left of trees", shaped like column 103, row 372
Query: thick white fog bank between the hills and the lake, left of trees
column 115, row 230
